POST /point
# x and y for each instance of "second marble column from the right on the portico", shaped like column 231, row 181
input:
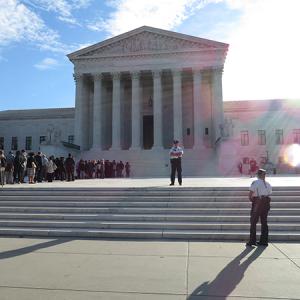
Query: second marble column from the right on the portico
column 198, row 123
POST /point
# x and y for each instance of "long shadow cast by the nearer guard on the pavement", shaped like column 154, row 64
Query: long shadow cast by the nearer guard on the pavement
column 227, row 280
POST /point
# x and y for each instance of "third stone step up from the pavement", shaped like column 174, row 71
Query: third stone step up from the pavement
column 139, row 217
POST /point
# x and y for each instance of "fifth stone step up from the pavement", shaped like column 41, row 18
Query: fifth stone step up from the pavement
column 131, row 204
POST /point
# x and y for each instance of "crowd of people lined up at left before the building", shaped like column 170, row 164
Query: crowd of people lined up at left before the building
column 37, row 167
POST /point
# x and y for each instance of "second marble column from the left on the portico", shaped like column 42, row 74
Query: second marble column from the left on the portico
column 97, row 112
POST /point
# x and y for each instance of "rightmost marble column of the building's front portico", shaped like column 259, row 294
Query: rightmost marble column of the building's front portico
column 217, row 105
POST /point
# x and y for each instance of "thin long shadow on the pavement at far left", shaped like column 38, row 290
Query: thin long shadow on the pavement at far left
column 31, row 248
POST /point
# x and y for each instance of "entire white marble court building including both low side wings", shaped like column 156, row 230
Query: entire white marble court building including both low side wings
column 138, row 91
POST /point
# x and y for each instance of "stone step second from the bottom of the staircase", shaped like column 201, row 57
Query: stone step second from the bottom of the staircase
column 146, row 225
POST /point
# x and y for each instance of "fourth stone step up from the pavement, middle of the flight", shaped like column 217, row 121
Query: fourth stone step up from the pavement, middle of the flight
column 146, row 210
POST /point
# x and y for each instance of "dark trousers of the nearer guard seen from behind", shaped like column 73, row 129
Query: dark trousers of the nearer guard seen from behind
column 260, row 209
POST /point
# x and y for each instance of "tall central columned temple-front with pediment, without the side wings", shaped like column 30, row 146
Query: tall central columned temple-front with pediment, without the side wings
column 138, row 91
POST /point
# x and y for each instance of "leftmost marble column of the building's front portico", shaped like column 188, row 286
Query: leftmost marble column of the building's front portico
column 78, row 121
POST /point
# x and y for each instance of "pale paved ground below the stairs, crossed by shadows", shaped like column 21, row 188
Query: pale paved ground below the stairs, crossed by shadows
column 46, row 269
